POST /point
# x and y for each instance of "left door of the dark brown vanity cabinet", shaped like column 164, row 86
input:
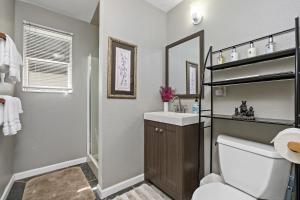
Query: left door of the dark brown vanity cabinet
column 153, row 155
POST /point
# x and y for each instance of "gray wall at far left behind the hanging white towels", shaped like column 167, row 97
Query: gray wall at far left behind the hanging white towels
column 6, row 143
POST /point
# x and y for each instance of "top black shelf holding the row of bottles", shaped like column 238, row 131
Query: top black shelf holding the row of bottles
column 257, row 59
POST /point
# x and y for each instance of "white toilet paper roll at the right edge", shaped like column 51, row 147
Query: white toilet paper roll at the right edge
column 281, row 144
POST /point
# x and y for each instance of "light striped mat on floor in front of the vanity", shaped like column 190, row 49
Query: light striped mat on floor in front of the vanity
column 143, row 192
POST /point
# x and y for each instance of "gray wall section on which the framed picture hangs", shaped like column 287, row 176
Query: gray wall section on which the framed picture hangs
column 121, row 120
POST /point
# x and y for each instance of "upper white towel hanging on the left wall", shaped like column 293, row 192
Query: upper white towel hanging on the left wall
column 9, row 56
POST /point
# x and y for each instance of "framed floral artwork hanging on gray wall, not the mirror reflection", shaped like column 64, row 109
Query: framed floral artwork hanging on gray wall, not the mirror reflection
column 121, row 69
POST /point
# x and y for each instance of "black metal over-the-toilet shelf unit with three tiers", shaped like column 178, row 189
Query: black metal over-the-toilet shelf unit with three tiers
column 254, row 79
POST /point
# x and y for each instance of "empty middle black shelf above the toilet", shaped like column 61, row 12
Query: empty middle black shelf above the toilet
column 254, row 79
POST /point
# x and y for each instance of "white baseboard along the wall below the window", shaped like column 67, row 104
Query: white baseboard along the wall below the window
column 50, row 168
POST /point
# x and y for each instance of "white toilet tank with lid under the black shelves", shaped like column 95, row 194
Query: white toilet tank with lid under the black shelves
column 254, row 168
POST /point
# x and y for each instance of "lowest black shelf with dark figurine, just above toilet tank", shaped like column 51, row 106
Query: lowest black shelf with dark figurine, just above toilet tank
column 257, row 120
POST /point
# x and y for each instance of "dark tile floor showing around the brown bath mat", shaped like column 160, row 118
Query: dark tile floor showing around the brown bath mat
column 17, row 190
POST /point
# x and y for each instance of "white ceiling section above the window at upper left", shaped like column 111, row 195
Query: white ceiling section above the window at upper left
column 80, row 9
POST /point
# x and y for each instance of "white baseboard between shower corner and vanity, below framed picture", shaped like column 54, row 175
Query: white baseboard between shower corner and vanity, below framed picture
column 120, row 186
